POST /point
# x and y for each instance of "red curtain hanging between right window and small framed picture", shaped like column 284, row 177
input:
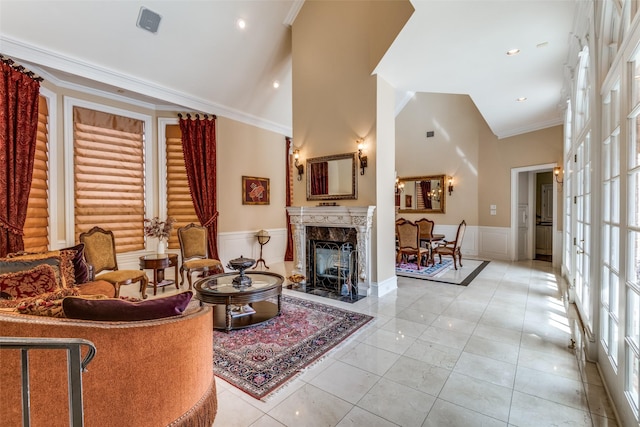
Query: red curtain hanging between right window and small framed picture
column 199, row 148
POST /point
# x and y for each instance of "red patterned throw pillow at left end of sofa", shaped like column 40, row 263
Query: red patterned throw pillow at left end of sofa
column 29, row 283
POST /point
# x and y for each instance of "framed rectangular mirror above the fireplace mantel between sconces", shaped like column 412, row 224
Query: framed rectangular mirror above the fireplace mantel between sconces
column 332, row 177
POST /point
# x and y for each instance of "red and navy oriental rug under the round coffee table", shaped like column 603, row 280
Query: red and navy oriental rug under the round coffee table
column 260, row 359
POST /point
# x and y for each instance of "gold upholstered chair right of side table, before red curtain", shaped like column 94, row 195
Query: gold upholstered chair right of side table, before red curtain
column 194, row 249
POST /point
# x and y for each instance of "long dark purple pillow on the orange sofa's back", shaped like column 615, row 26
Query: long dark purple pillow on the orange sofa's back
column 113, row 309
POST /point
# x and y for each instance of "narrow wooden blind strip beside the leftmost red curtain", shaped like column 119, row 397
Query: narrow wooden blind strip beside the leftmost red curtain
column 36, row 227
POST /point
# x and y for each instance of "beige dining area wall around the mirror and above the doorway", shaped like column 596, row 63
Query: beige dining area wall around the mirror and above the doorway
column 464, row 147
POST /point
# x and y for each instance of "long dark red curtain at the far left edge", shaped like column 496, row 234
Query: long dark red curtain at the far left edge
column 18, row 130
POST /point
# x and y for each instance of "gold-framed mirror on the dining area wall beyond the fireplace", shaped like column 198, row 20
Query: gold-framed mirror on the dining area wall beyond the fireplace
column 422, row 194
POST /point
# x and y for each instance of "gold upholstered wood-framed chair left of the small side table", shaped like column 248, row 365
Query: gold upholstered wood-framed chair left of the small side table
column 100, row 253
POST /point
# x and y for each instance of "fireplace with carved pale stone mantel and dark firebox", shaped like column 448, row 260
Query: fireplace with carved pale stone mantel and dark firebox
column 342, row 230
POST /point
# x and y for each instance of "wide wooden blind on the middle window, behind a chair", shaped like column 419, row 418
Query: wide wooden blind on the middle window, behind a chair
column 108, row 154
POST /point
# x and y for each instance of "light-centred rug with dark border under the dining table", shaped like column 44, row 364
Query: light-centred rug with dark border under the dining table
column 444, row 273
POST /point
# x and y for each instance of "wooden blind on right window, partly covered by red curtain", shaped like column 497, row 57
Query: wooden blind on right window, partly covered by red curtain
column 179, row 202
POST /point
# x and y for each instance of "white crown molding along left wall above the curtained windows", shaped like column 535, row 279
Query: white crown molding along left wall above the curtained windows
column 175, row 100
